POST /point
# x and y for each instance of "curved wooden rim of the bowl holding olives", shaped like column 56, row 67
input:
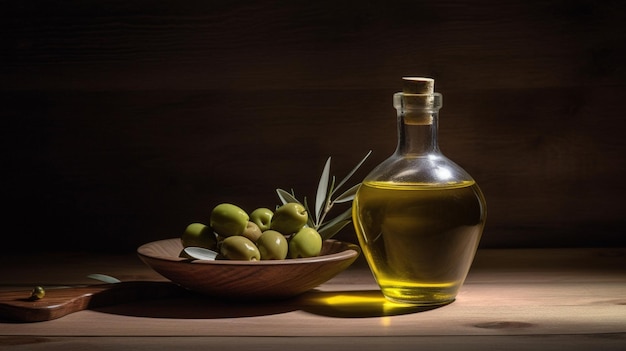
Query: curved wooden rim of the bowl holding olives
column 349, row 251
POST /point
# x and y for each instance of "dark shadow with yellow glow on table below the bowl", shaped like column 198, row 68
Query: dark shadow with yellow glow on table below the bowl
column 339, row 304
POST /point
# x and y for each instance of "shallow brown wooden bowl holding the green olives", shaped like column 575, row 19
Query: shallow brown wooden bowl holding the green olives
column 248, row 280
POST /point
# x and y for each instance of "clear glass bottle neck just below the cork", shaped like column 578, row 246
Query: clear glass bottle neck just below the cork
column 417, row 139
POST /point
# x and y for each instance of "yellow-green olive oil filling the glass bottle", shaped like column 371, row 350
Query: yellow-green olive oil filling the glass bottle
column 419, row 239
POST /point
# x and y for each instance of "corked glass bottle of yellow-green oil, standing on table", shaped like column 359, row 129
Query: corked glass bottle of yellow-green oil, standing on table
column 418, row 215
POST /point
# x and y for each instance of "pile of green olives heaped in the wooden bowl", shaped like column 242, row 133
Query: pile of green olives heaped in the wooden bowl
column 262, row 235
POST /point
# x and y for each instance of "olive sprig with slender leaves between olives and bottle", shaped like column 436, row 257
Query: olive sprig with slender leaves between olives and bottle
column 324, row 201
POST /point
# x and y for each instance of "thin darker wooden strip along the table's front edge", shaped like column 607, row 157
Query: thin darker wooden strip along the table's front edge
column 607, row 342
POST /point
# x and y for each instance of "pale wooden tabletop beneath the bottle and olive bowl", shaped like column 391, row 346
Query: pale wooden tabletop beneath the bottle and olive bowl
column 522, row 299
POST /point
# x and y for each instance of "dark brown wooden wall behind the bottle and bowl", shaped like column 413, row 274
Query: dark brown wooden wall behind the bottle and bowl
column 123, row 121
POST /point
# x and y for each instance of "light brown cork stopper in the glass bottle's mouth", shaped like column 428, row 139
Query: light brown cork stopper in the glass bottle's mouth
column 417, row 95
